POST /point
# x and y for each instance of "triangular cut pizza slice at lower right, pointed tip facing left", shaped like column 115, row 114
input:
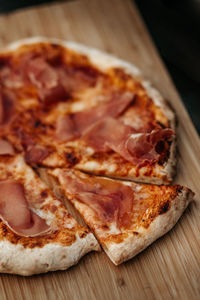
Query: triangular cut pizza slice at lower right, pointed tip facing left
column 125, row 217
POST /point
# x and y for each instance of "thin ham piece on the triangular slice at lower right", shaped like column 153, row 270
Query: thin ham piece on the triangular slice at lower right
column 110, row 200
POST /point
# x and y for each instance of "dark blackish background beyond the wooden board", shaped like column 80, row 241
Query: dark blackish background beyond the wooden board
column 175, row 28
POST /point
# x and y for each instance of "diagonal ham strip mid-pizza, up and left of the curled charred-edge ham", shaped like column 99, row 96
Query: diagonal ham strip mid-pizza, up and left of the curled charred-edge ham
column 74, row 125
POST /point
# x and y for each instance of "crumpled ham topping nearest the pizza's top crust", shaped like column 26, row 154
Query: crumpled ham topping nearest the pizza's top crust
column 56, row 81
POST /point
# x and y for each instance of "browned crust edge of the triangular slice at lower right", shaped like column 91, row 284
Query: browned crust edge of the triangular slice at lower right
column 133, row 245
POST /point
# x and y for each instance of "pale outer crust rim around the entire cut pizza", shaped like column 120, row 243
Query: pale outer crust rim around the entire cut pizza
column 54, row 256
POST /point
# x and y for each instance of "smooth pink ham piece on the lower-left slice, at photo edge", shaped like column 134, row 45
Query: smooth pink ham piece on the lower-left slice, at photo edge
column 15, row 211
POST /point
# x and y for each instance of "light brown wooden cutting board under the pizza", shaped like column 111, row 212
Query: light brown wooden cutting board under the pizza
column 170, row 268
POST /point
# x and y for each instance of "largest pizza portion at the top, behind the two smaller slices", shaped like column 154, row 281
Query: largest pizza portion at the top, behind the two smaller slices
column 56, row 97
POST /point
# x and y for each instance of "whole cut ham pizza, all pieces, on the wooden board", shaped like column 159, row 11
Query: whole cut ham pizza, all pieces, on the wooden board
column 92, row 125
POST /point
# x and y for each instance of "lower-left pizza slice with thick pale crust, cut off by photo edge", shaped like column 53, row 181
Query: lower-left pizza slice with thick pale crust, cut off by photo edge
column 37, row 234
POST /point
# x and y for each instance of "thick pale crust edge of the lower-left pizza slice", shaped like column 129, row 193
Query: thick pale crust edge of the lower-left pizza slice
column 16, row 259
